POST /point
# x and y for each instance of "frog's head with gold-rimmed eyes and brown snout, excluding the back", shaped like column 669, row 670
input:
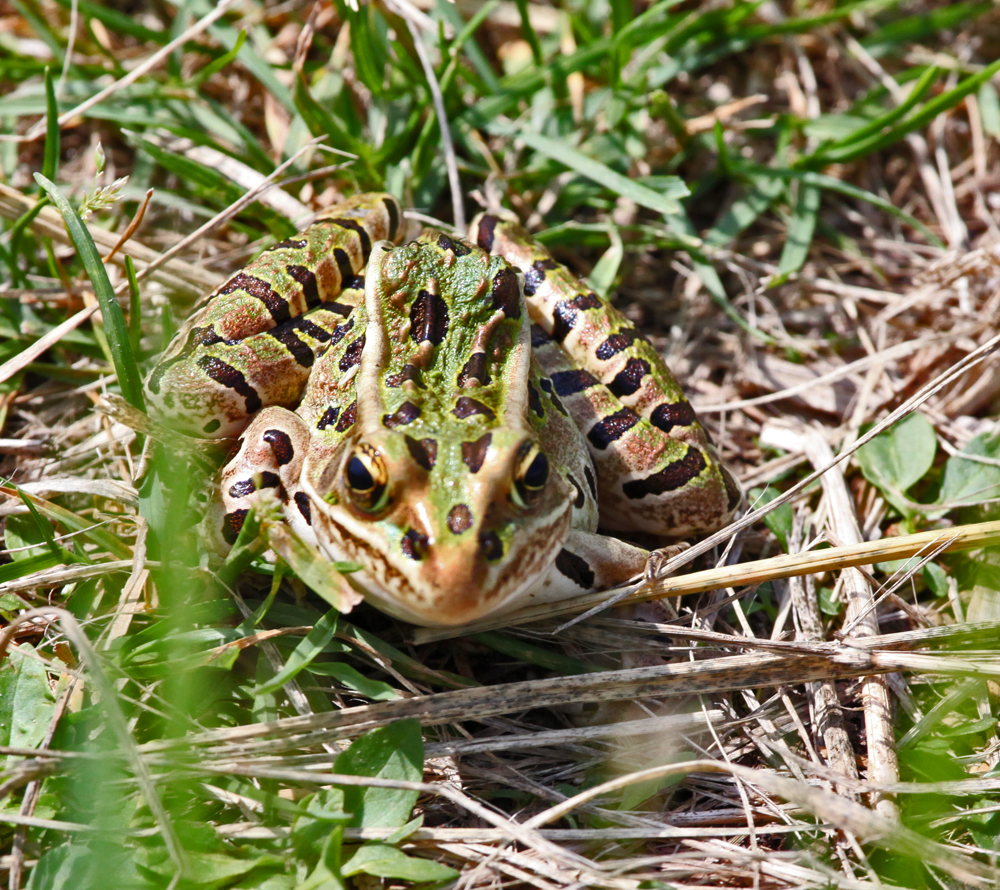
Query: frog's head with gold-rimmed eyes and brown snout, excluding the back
column 447, row 529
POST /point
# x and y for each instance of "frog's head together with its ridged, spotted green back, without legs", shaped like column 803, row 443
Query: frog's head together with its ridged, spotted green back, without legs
column 443, row 490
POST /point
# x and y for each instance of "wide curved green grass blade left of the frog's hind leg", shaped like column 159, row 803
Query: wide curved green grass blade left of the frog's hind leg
column 114, row 319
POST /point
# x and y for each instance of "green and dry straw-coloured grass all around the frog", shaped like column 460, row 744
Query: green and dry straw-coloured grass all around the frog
column 796, row 203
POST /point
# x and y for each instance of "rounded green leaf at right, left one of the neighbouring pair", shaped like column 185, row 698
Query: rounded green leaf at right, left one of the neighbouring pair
column 899, row 457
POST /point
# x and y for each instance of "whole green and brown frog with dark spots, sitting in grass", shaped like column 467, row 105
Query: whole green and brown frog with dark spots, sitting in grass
column 463, row 419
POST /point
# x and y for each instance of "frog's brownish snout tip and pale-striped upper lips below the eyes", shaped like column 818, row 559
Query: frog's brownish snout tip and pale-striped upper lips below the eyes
column 448, row 584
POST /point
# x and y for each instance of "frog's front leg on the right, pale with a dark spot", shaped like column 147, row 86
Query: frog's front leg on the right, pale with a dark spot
column 589, row 562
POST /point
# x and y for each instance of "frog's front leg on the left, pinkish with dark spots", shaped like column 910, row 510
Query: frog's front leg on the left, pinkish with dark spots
column 269, row 458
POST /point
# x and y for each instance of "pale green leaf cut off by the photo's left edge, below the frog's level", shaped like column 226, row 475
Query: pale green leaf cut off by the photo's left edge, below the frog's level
column 26, row 703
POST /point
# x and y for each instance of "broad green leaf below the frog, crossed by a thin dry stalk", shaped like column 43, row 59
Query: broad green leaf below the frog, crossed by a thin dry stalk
column 390, row 752
